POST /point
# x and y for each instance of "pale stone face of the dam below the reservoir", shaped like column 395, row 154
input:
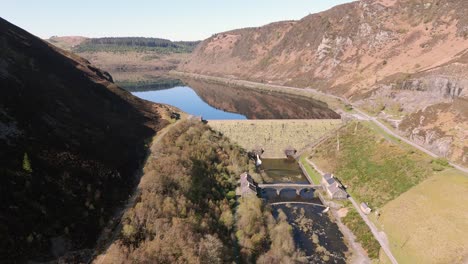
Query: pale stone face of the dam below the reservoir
column 275, row 135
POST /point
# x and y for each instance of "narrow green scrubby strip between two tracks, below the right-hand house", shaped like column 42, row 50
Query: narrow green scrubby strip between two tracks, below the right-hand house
column 362, row 232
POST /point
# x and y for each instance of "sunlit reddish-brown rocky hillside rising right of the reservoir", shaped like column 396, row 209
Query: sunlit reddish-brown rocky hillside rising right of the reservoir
column 405, row 60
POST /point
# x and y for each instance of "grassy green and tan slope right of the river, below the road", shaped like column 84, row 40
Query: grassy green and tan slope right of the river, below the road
column 405, row 188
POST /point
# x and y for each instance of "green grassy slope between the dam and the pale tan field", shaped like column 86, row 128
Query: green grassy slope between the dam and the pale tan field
column 375, row 169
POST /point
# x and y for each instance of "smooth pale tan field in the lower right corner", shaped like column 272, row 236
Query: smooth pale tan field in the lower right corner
column 429, row 223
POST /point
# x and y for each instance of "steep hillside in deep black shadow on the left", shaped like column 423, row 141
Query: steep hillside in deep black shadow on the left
column 71, row 142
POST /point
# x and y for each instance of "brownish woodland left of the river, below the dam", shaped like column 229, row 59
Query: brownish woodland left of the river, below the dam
column 187, row 211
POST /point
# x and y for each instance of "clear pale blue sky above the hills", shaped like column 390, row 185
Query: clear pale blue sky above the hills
column 171, row 19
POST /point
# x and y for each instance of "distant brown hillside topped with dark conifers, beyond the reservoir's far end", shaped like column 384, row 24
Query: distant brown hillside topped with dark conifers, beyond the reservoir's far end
column 132, row 61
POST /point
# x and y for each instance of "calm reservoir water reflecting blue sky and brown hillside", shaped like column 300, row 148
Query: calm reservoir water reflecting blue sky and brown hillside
column 221, row 102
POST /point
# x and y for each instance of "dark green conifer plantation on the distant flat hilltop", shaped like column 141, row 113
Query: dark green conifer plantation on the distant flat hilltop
column 127, row 44
